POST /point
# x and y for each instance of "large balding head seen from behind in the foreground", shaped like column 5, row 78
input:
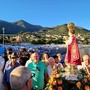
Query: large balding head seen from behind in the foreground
column 20, row 79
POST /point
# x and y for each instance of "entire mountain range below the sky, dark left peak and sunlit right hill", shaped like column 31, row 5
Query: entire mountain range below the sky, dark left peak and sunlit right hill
column 23, row 26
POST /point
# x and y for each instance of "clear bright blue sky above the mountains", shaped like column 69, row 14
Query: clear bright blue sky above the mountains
column 47, row 13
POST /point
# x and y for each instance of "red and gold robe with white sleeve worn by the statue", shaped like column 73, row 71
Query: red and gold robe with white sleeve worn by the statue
column 72, row 54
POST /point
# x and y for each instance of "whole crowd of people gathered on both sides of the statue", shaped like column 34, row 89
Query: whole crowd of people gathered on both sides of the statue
column 27, row 71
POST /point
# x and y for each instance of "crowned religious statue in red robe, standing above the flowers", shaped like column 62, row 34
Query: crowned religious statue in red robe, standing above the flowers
column 72, row 54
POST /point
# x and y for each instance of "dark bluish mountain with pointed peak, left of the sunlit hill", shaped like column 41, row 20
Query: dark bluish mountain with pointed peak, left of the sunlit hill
column 18, row 26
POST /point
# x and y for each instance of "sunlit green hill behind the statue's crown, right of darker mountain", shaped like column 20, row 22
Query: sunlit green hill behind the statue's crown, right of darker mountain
column 62, row 29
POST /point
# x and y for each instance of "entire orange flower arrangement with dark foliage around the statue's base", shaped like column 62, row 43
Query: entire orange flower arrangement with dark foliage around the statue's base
column 58, row 82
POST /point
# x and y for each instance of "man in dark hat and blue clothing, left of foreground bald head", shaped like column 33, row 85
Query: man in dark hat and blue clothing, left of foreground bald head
column 11, row 65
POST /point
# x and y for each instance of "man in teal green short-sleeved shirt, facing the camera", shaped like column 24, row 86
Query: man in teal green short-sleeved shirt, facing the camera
column 39, row 69
